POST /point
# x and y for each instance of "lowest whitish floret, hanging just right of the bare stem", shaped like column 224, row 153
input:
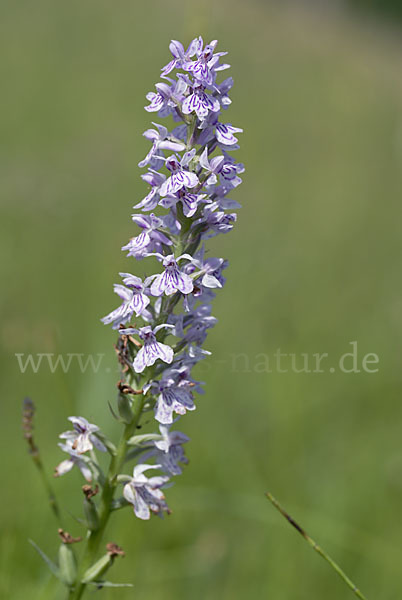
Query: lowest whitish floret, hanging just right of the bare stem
column 145, row 494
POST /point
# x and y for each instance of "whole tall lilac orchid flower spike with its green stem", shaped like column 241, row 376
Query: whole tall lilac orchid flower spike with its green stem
column 190, row 174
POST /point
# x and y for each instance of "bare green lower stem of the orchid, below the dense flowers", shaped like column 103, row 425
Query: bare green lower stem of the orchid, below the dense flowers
column 116, row 463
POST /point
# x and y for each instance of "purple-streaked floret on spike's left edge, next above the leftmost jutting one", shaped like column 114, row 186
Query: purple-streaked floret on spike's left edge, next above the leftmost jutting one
column 150, row 239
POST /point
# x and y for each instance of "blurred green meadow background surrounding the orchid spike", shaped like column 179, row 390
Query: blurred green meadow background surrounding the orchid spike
column 315, row 264
